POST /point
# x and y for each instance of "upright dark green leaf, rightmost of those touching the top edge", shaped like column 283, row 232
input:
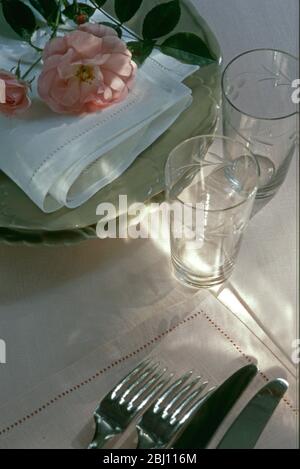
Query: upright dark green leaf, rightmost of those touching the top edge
column 162, row 20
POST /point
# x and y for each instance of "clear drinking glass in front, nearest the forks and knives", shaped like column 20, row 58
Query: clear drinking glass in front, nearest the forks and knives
column 210, row 187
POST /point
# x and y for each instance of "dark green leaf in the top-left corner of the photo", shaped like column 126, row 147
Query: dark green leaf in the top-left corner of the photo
column 20, row 18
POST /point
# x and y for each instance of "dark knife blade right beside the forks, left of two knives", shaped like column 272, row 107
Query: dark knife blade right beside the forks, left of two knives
column 211, row 414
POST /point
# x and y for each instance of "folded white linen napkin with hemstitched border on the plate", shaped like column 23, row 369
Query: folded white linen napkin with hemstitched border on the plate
column 60, row 160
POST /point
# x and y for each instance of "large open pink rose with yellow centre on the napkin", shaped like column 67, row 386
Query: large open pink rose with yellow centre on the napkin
column 86, row 70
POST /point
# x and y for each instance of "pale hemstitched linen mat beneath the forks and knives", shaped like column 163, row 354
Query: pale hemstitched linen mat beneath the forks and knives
column 57, row 413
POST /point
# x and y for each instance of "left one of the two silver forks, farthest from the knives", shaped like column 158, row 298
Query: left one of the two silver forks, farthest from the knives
column 117, row 410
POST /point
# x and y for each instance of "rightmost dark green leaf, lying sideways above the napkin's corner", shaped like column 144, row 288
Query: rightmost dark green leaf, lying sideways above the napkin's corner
column 188, row 48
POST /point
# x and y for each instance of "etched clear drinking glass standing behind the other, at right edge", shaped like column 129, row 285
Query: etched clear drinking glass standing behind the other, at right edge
column 259, row 110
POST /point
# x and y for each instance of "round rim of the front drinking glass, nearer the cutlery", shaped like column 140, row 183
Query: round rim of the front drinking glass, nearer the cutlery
column 219, row 137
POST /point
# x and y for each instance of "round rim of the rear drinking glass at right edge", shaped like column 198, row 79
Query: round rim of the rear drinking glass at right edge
column 264, row 49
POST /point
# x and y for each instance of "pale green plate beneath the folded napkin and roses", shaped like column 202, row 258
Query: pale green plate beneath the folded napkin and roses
column 22, row 222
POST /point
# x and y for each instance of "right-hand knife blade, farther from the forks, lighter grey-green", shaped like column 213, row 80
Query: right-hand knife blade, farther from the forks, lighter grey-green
column 249, row 425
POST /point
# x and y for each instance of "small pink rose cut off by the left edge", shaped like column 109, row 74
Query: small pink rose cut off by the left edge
column 13, row 94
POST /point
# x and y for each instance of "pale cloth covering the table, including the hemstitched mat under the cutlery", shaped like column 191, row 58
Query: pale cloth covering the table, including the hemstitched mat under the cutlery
column 67, row 312
